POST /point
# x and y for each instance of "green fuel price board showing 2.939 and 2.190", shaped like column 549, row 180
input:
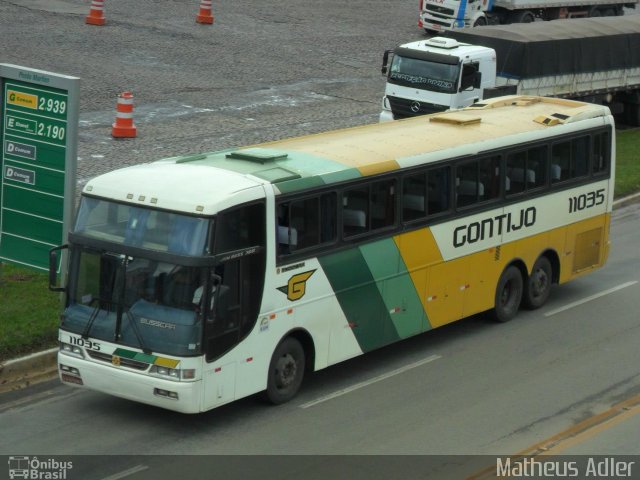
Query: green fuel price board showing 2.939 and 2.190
column 39, row 119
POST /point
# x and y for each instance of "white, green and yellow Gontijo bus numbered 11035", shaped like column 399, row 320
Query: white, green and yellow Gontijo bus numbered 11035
column 197, row 280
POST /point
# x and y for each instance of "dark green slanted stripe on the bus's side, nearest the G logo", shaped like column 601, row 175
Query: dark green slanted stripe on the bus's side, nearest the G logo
column 359, row 298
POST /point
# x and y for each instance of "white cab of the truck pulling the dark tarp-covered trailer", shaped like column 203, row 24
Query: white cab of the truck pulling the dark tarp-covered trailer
column 434, row 75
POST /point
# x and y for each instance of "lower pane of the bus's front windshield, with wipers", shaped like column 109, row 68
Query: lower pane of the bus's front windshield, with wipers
column 135, row 301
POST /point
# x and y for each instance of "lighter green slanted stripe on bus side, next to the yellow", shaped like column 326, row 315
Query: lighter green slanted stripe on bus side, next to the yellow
column 396, row 287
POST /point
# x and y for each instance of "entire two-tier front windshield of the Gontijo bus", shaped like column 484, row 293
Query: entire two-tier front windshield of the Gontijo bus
column 147, row 299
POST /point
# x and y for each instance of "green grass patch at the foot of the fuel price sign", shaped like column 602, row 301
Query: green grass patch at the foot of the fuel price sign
column 29, row 312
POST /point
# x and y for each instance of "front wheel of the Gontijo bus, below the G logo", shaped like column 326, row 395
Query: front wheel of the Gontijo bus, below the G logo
column 286, row 371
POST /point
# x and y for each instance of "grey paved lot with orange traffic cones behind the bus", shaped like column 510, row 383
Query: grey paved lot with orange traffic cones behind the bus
column 264, row 70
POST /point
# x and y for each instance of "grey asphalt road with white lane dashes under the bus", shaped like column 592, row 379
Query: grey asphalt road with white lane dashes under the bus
column 471, row 388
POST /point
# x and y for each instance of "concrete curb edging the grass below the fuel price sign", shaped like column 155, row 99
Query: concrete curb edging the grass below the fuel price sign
column 22, row 372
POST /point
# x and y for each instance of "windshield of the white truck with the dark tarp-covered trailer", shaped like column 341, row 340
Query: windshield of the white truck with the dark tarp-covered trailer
column 424, row 74
